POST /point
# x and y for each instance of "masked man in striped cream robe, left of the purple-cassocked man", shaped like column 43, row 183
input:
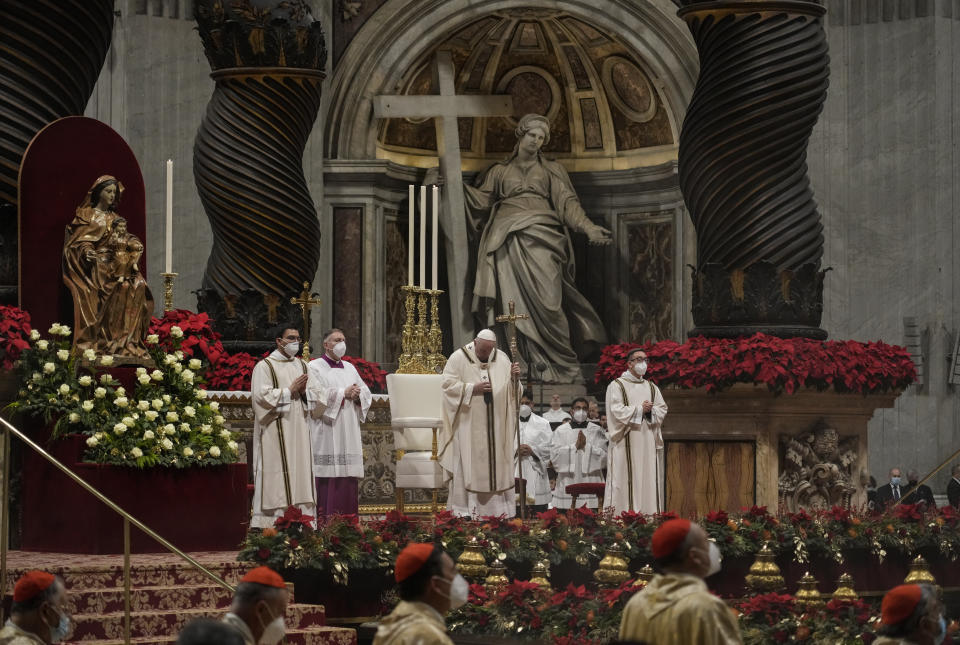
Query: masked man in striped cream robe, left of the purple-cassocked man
column 284, row 398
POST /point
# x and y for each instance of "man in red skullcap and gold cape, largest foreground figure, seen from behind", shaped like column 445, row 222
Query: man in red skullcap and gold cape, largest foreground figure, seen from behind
column 676, row 608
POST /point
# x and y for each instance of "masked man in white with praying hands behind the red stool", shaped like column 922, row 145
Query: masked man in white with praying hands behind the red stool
column 579, row 455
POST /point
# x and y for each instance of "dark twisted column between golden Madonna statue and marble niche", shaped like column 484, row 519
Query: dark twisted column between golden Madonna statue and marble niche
column 267, row 58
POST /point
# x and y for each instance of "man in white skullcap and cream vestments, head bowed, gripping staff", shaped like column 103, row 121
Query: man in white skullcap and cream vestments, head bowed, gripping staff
column 481, row 388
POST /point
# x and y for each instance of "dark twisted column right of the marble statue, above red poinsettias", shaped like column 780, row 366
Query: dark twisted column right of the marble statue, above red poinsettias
column 764, row 72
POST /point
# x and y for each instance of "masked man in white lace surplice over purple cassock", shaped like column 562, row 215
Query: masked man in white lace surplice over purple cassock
column 337, row 450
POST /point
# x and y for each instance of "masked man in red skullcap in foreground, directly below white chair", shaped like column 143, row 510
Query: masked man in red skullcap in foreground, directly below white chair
column 429, row 587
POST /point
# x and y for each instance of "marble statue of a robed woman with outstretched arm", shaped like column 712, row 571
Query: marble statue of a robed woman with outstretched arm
column 525, row 254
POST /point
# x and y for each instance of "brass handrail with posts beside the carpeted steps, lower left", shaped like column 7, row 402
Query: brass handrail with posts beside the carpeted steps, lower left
column 6, row 429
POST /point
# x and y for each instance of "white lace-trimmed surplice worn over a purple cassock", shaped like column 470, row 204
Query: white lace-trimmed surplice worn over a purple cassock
column 337, row 449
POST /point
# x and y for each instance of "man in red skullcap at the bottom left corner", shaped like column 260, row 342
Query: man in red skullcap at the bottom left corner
column 37, row 616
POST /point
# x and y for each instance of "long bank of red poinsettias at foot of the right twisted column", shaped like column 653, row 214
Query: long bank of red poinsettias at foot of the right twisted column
column 782, row 364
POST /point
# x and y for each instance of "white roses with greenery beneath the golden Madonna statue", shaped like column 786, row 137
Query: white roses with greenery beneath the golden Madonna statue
column 165, row 421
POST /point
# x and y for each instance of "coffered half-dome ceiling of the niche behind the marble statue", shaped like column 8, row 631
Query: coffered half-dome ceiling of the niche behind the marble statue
column 605, row 110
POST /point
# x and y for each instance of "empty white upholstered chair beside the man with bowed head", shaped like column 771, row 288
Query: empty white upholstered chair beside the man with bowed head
column 416, row 411
